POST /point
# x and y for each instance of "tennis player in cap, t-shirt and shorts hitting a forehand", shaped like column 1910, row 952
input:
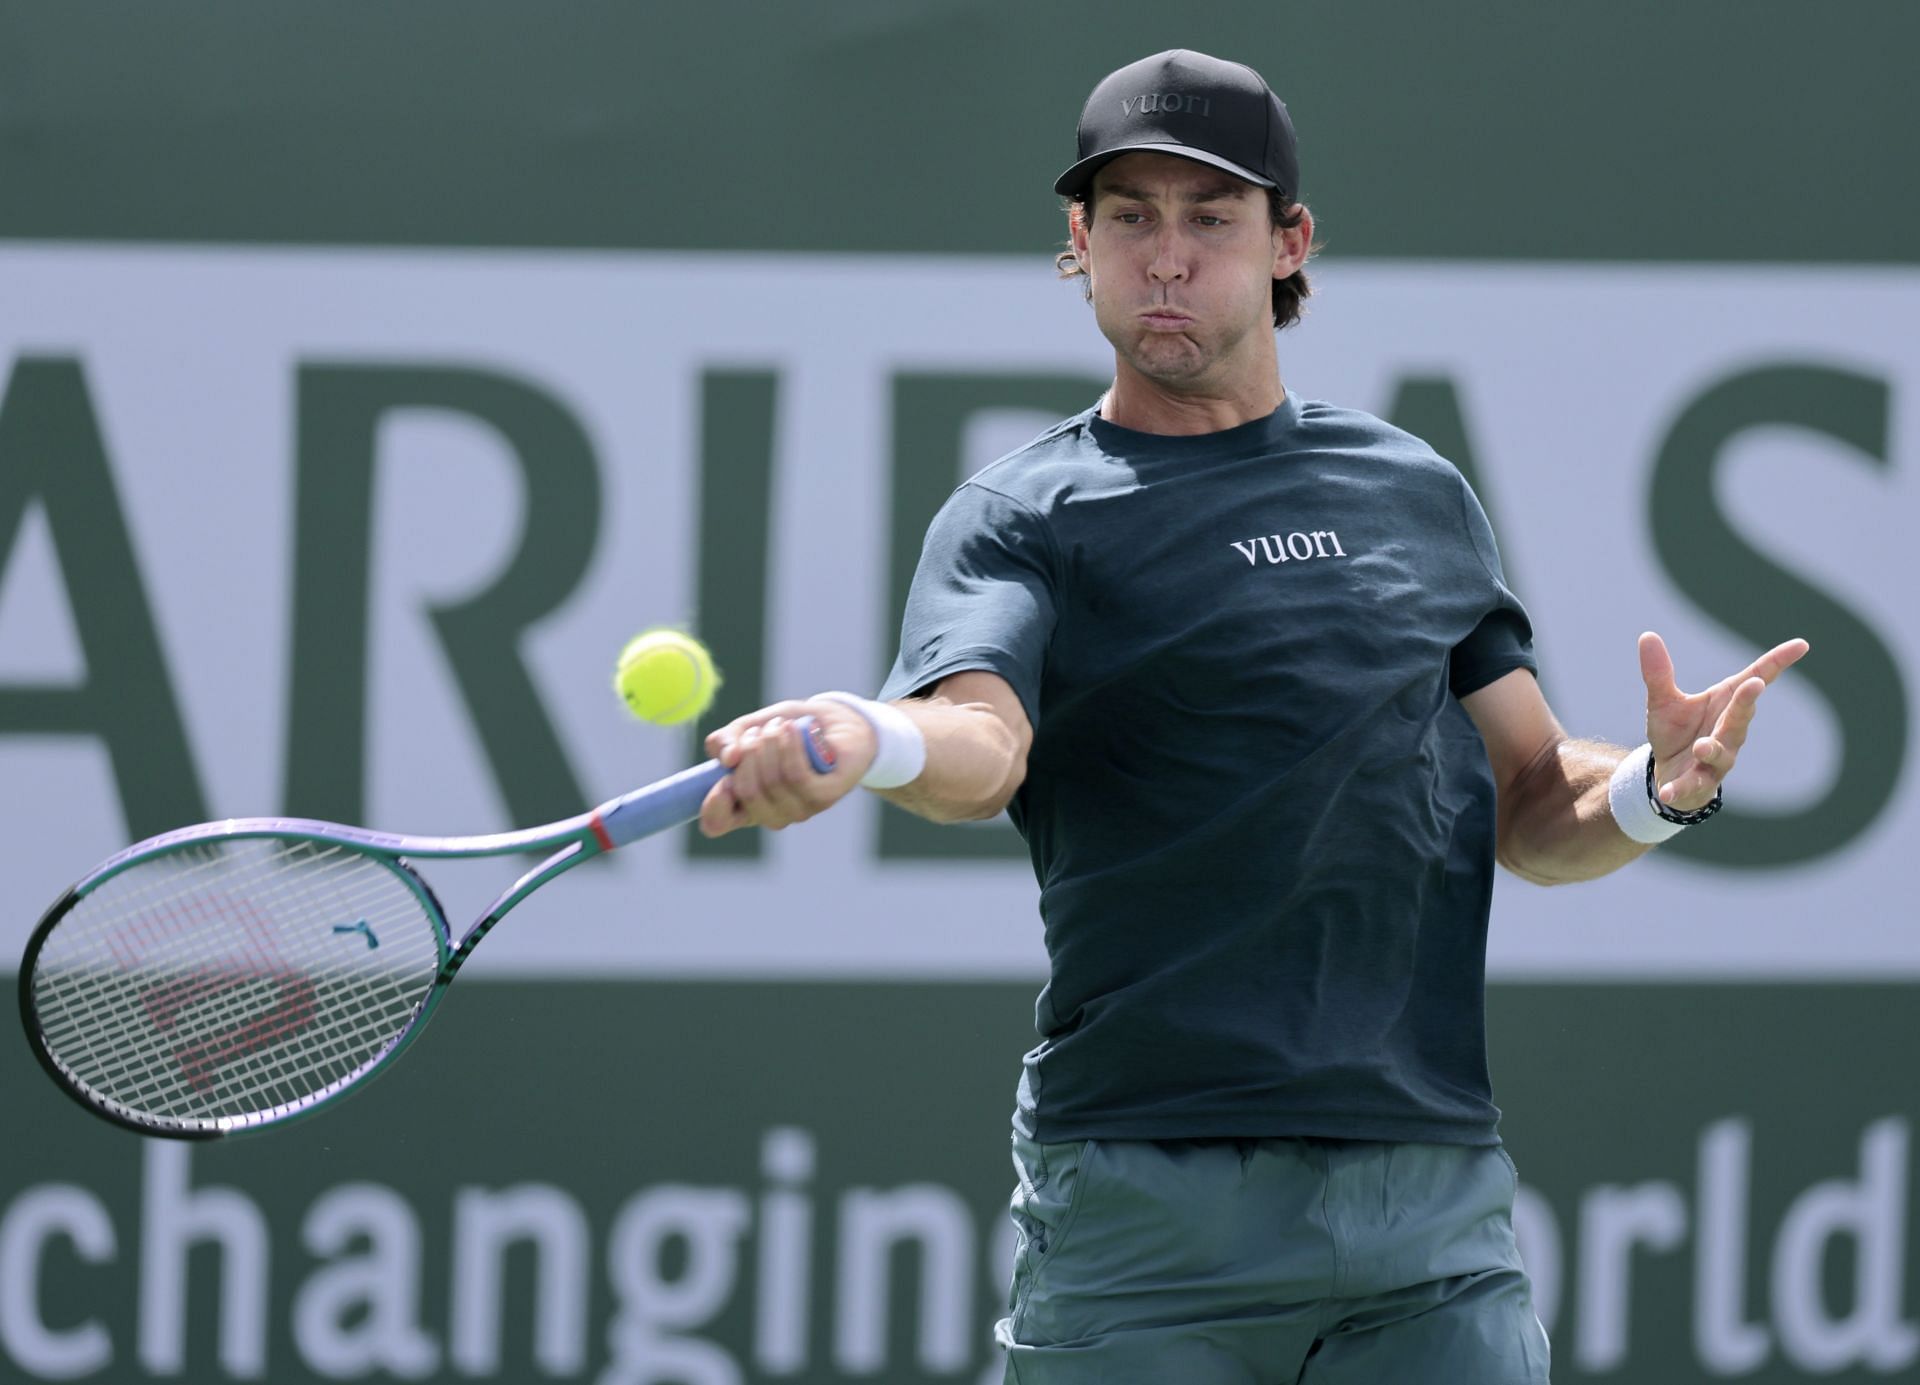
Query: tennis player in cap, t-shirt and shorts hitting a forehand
column 1249, row 679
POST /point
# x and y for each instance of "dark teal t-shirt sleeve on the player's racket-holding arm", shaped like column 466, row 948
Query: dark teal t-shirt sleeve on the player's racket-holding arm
column 982, row 598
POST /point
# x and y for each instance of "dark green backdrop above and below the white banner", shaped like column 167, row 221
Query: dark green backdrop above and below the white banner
column 1719, row 1177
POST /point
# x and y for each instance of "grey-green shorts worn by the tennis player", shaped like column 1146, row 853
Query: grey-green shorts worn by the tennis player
column 1268, row 1261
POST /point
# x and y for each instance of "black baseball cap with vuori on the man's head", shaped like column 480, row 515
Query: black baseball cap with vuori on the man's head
column 1195, row 107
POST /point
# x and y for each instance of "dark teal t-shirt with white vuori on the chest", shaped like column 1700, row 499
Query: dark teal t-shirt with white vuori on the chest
column 1260, row 819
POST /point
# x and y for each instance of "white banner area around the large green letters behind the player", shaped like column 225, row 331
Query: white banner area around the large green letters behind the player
column 1570, row 383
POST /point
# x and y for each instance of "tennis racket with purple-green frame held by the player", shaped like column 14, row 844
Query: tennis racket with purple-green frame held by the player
column 235, row 975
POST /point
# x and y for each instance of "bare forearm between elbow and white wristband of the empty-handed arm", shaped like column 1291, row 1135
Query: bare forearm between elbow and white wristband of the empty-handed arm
column 1556, row 825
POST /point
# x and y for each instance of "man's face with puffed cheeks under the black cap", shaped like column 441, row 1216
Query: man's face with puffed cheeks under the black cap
column 1182, row 260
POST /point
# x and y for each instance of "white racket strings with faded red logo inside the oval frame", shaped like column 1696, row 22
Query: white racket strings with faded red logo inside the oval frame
column 235, row 981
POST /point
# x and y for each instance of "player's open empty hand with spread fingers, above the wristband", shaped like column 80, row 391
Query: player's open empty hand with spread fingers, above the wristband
column 1696, row 737
